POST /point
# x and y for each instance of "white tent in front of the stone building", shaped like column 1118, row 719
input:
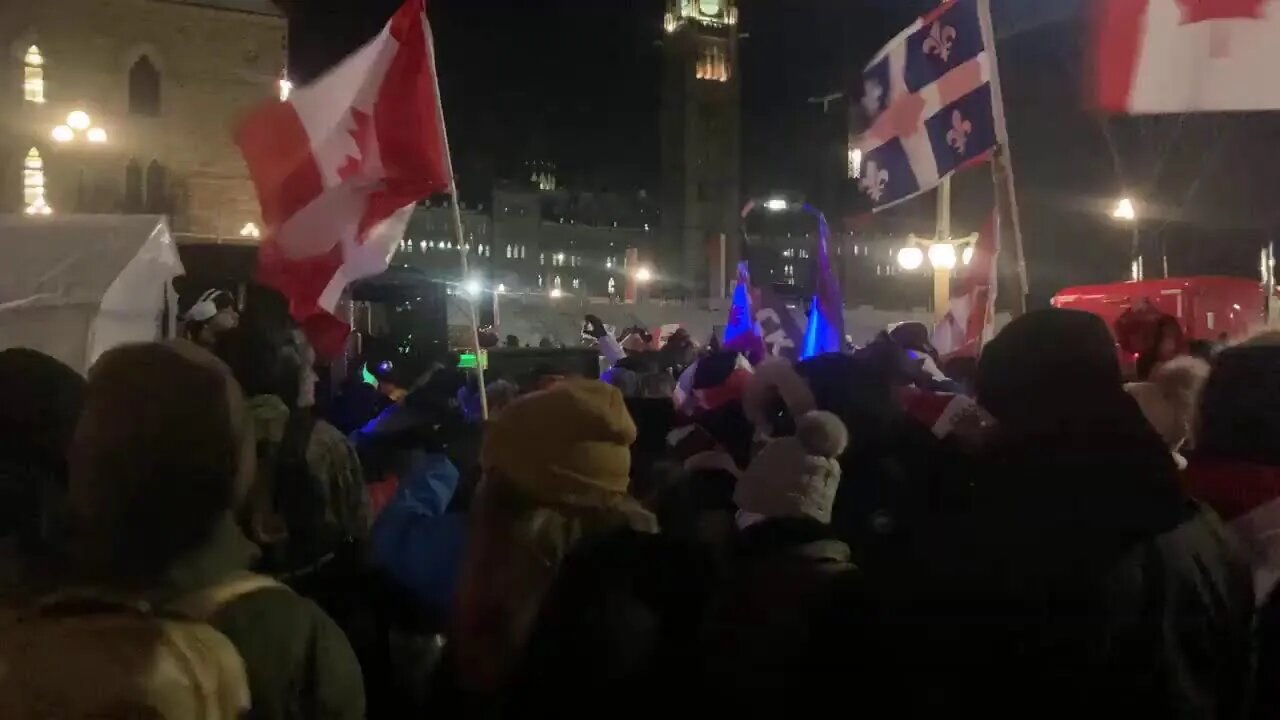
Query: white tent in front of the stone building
column 77, row 286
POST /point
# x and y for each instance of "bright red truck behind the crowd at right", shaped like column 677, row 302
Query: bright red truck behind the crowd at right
column 1208, row 308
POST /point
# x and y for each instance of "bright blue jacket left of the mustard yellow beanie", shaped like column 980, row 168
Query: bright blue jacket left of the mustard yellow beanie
column 415, row 541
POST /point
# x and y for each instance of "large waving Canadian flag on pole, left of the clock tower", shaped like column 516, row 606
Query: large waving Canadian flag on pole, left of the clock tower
column 340, row 166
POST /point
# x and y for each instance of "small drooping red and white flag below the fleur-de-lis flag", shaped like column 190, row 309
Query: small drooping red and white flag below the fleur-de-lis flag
column 971, row 321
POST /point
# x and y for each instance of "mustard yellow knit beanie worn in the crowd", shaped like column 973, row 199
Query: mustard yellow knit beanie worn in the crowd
column 561, row 443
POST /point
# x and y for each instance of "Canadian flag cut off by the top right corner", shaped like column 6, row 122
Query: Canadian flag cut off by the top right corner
column 1188, row 56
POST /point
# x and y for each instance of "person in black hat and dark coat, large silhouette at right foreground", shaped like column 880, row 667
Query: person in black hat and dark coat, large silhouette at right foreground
column 1084, row 582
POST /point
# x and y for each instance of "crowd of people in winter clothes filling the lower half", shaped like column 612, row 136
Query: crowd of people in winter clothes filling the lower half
column 188, row 535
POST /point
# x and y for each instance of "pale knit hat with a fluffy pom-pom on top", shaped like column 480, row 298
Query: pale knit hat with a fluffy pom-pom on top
column 797, row 477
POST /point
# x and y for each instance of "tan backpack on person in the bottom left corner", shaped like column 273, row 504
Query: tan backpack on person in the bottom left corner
column 89, row 655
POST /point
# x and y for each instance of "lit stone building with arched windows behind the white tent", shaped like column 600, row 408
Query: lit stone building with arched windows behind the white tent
column 130, row 106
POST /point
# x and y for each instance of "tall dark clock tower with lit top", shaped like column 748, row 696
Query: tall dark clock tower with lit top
column 701, row 145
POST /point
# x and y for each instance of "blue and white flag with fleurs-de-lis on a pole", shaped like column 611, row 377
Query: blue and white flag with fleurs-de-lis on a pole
column 930, row 99
